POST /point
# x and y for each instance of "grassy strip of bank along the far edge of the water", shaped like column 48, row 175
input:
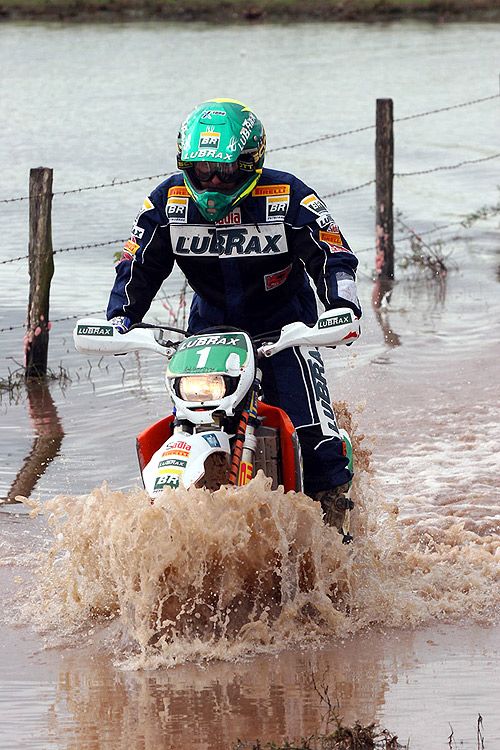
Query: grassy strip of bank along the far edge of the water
column 250, row 10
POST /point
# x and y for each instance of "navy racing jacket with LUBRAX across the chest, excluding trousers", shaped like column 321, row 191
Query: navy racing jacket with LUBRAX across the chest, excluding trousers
column 250, row 270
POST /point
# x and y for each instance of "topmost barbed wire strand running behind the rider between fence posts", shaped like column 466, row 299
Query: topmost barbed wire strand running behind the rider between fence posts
column 310, row 141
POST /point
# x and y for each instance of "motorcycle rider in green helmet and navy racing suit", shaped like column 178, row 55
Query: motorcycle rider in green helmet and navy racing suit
column 248, row 239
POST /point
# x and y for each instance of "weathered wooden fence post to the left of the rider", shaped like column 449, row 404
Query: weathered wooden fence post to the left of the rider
column 41, row 269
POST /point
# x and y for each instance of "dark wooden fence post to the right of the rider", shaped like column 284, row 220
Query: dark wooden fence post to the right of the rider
column 384, row 174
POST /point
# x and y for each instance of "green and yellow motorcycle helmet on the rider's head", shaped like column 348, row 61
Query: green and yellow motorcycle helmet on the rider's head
column 221, row 137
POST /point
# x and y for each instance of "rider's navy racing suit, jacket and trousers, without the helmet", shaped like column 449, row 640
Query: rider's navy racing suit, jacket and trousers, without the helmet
column 251, row 270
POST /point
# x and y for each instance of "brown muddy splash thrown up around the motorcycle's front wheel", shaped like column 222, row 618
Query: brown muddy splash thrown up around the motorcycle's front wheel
column 202, row 575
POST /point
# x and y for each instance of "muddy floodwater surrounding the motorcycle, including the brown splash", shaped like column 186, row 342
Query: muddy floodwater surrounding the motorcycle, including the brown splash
column 402, row 625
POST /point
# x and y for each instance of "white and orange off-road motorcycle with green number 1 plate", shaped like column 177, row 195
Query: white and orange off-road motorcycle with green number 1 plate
column 220, row 431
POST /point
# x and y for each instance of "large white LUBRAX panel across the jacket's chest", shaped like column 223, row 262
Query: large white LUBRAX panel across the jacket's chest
column 246, row 241
